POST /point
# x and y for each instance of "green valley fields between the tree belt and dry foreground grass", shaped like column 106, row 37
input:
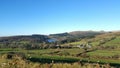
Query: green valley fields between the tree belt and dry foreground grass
column 68, row 56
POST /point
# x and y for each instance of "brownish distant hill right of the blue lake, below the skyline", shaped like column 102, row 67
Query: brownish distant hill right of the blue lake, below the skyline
column 75, row 35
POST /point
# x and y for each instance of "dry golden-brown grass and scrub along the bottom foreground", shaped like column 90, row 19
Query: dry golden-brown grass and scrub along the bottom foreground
column 17, row 62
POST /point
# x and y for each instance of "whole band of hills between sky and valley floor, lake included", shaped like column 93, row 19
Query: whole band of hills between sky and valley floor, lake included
column 96, row 39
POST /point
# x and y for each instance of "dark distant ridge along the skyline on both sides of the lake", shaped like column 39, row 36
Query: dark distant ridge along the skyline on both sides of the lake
column 44, row 38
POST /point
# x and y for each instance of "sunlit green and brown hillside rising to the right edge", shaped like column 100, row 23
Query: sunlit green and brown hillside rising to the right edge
column 105, row 40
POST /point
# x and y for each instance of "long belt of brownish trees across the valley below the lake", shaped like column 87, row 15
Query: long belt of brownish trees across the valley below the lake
column 32, row 45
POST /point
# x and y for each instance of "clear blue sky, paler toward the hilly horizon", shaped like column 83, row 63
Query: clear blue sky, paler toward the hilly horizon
column 19, row 17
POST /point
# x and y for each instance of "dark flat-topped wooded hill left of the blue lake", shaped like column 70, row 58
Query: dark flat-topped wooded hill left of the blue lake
column 24, row 38
